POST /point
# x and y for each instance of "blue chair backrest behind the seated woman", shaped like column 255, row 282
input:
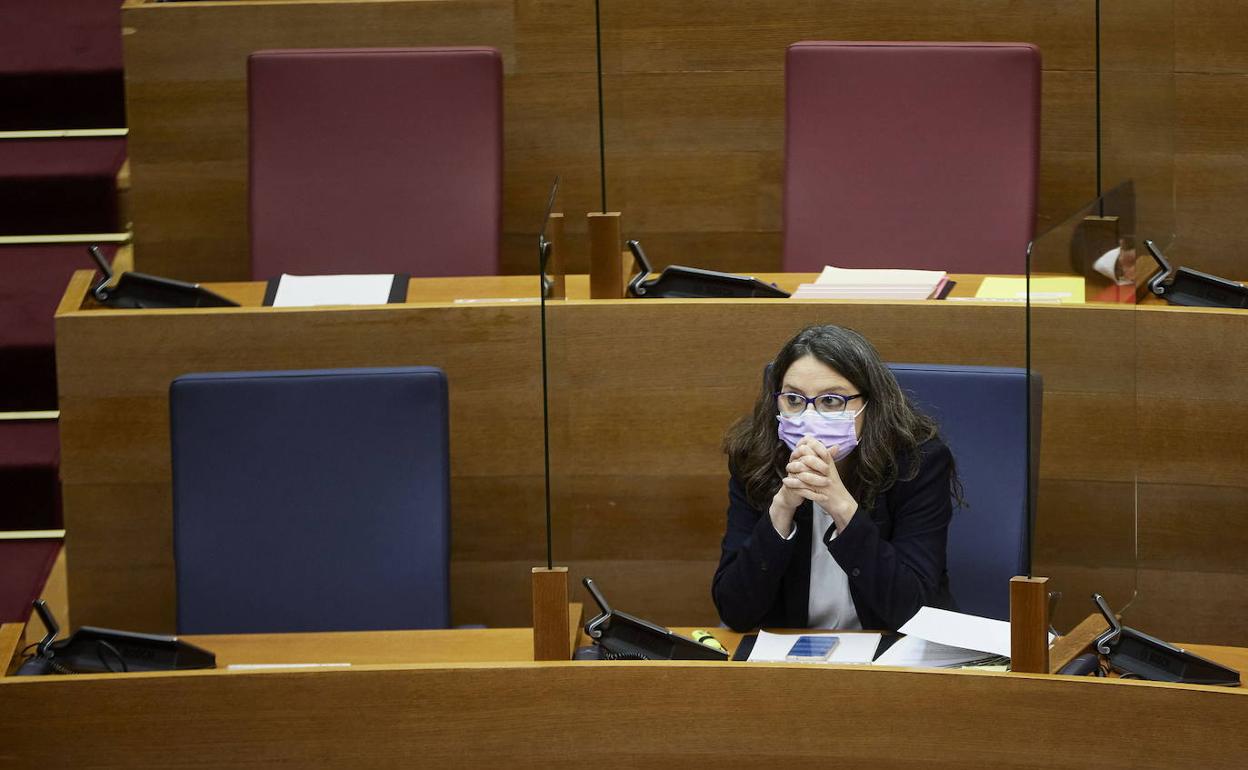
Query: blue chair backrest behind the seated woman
column 983, row 416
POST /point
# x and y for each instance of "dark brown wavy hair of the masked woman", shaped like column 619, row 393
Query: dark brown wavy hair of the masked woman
column 893, row 429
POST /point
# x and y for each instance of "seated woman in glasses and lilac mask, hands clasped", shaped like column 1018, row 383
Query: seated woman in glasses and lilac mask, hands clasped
column 839, row 499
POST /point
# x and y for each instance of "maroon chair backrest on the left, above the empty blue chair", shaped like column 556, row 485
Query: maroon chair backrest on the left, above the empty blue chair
column 376, row 162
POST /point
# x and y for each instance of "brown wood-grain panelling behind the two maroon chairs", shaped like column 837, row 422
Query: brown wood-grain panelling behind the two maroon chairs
column 695, row 113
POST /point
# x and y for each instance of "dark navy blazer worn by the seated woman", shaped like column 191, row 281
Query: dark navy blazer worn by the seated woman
column 893, row 553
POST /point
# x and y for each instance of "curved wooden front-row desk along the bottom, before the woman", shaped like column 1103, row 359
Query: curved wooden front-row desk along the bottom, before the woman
column 633, row 713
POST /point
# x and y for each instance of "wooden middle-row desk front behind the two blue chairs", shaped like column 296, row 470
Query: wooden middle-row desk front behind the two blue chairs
column 638, row 504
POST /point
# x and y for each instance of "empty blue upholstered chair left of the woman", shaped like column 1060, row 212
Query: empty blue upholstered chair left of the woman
column 311, row 501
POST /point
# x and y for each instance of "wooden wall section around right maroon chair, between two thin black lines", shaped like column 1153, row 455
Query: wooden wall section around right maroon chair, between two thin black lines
column 695, row 109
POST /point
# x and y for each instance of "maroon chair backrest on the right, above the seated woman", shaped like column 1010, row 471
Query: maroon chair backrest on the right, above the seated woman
column 918, row 155
